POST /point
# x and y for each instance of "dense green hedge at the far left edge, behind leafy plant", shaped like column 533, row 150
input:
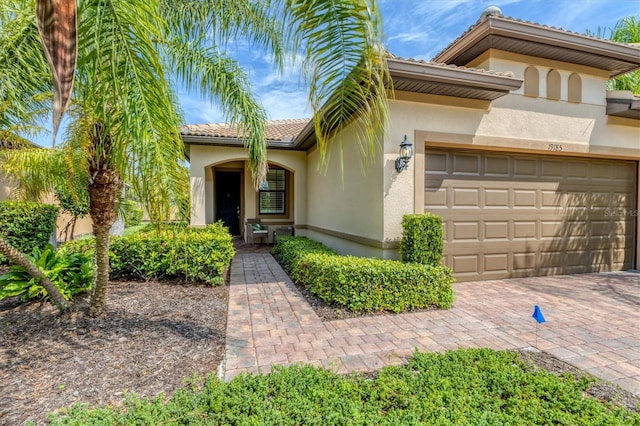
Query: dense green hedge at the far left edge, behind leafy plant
column 27, row 225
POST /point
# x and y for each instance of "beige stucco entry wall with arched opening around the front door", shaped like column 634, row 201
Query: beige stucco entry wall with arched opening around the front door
column 205, row 157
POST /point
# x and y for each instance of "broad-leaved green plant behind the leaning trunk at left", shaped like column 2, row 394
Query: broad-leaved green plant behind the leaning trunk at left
column 71, row 273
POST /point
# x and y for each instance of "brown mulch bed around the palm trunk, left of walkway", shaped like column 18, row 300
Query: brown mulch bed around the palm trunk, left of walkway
column 153, row 336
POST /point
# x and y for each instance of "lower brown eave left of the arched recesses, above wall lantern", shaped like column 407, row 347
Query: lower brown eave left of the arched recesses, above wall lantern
column 439, row 79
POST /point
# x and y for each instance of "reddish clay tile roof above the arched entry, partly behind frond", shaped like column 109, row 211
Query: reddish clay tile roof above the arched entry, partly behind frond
column 277, row 130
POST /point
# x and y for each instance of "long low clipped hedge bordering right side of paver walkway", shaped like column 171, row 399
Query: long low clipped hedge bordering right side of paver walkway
column 364, row 284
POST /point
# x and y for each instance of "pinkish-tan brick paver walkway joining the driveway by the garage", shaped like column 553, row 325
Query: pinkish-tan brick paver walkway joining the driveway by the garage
column 593, row 323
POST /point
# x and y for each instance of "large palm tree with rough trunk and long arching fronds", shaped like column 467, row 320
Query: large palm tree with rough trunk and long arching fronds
column 124, row 115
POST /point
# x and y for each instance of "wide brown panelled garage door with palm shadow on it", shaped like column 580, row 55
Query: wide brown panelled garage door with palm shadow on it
column 527, row 215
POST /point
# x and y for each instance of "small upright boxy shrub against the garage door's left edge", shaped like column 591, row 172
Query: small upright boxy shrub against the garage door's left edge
column 422, row 240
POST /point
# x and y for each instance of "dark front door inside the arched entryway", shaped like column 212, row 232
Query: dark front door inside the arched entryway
column 228, row 199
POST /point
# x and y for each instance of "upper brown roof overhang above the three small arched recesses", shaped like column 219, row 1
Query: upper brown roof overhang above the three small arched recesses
column 531, row 39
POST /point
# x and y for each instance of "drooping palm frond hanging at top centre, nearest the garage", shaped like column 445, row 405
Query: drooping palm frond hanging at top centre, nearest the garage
column 345, row 66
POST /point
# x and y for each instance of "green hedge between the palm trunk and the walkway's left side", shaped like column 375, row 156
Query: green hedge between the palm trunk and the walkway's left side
column 192, row 254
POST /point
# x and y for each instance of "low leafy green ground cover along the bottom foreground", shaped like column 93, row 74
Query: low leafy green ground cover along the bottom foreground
column 465, row 387
